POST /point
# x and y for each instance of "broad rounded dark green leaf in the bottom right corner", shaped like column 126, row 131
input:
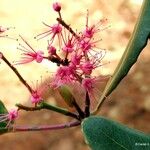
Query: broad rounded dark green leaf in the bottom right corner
column 104, row 134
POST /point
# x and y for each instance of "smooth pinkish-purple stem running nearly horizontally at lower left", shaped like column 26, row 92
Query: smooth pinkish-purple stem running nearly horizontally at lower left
column 45, row 127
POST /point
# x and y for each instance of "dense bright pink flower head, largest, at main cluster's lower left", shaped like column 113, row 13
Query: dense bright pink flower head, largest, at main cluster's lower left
column 64, row 75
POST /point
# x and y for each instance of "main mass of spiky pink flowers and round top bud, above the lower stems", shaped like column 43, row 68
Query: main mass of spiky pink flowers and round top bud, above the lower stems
column 77, row 55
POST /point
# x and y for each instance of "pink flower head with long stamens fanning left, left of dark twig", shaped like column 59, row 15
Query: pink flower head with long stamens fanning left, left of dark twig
column 29, row 54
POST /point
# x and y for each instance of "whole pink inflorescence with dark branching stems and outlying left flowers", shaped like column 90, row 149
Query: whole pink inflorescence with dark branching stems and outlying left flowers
column 76, row 56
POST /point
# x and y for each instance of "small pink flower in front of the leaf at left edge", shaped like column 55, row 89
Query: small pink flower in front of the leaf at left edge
column 9, row 117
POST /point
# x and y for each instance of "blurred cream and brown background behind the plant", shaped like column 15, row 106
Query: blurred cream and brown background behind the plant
column 130, row 102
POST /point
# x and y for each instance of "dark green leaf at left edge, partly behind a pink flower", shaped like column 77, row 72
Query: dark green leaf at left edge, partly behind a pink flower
column 3, row 110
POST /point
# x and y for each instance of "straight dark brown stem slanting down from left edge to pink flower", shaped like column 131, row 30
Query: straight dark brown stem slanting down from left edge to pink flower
column 17, row 73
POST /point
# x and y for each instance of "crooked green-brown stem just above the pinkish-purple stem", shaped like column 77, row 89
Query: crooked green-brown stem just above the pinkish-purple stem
column 44, row 105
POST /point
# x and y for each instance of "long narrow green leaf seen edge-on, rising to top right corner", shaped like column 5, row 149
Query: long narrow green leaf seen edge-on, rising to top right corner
column 136, row 44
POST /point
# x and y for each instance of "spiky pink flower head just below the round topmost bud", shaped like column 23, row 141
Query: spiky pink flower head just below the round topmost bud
column 53, row 31
